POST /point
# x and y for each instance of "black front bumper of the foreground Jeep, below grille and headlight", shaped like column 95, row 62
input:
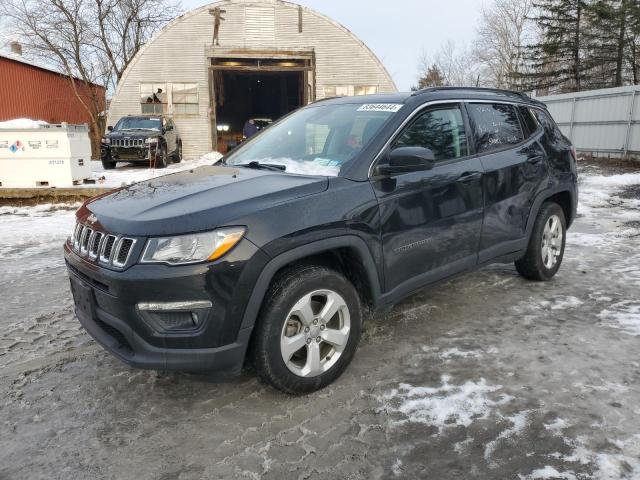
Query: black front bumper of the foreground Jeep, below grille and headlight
column 105, row 304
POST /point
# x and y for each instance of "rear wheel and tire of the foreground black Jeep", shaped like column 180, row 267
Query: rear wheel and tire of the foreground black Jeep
column 540, row 263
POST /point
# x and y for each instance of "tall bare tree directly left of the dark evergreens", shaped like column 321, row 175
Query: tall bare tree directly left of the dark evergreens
column 504, row 32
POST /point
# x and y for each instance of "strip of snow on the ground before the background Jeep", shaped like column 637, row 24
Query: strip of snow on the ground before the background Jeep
column 126, row 175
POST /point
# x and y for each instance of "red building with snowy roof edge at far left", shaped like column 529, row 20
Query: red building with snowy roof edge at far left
column 31, row 91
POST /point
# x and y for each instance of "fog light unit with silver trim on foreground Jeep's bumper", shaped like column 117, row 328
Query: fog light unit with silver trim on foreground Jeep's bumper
column 174, row 317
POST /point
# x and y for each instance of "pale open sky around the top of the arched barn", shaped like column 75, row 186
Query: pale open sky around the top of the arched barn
column 398, row 31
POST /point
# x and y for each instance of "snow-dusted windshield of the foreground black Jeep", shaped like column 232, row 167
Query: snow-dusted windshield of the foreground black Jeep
column 316, row 140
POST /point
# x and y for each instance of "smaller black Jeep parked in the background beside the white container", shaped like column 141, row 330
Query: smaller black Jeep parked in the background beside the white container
column 150, row 139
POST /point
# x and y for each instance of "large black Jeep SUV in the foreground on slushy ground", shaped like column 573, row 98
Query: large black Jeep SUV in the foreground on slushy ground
column 344, row 205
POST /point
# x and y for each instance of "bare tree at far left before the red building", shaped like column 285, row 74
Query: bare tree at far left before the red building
column 91, row 41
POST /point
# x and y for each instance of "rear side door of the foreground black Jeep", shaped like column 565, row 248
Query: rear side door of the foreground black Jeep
column 506, row 139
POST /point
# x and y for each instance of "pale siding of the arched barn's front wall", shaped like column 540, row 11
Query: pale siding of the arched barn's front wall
column 178, row 54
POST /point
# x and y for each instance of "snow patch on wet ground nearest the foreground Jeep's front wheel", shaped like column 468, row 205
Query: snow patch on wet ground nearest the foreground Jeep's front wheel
column 444, row 406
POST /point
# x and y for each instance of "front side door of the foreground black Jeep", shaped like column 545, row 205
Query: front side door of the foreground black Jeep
column 431, row 221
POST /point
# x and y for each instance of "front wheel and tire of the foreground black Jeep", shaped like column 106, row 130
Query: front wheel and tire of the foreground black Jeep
column 280, row 329
